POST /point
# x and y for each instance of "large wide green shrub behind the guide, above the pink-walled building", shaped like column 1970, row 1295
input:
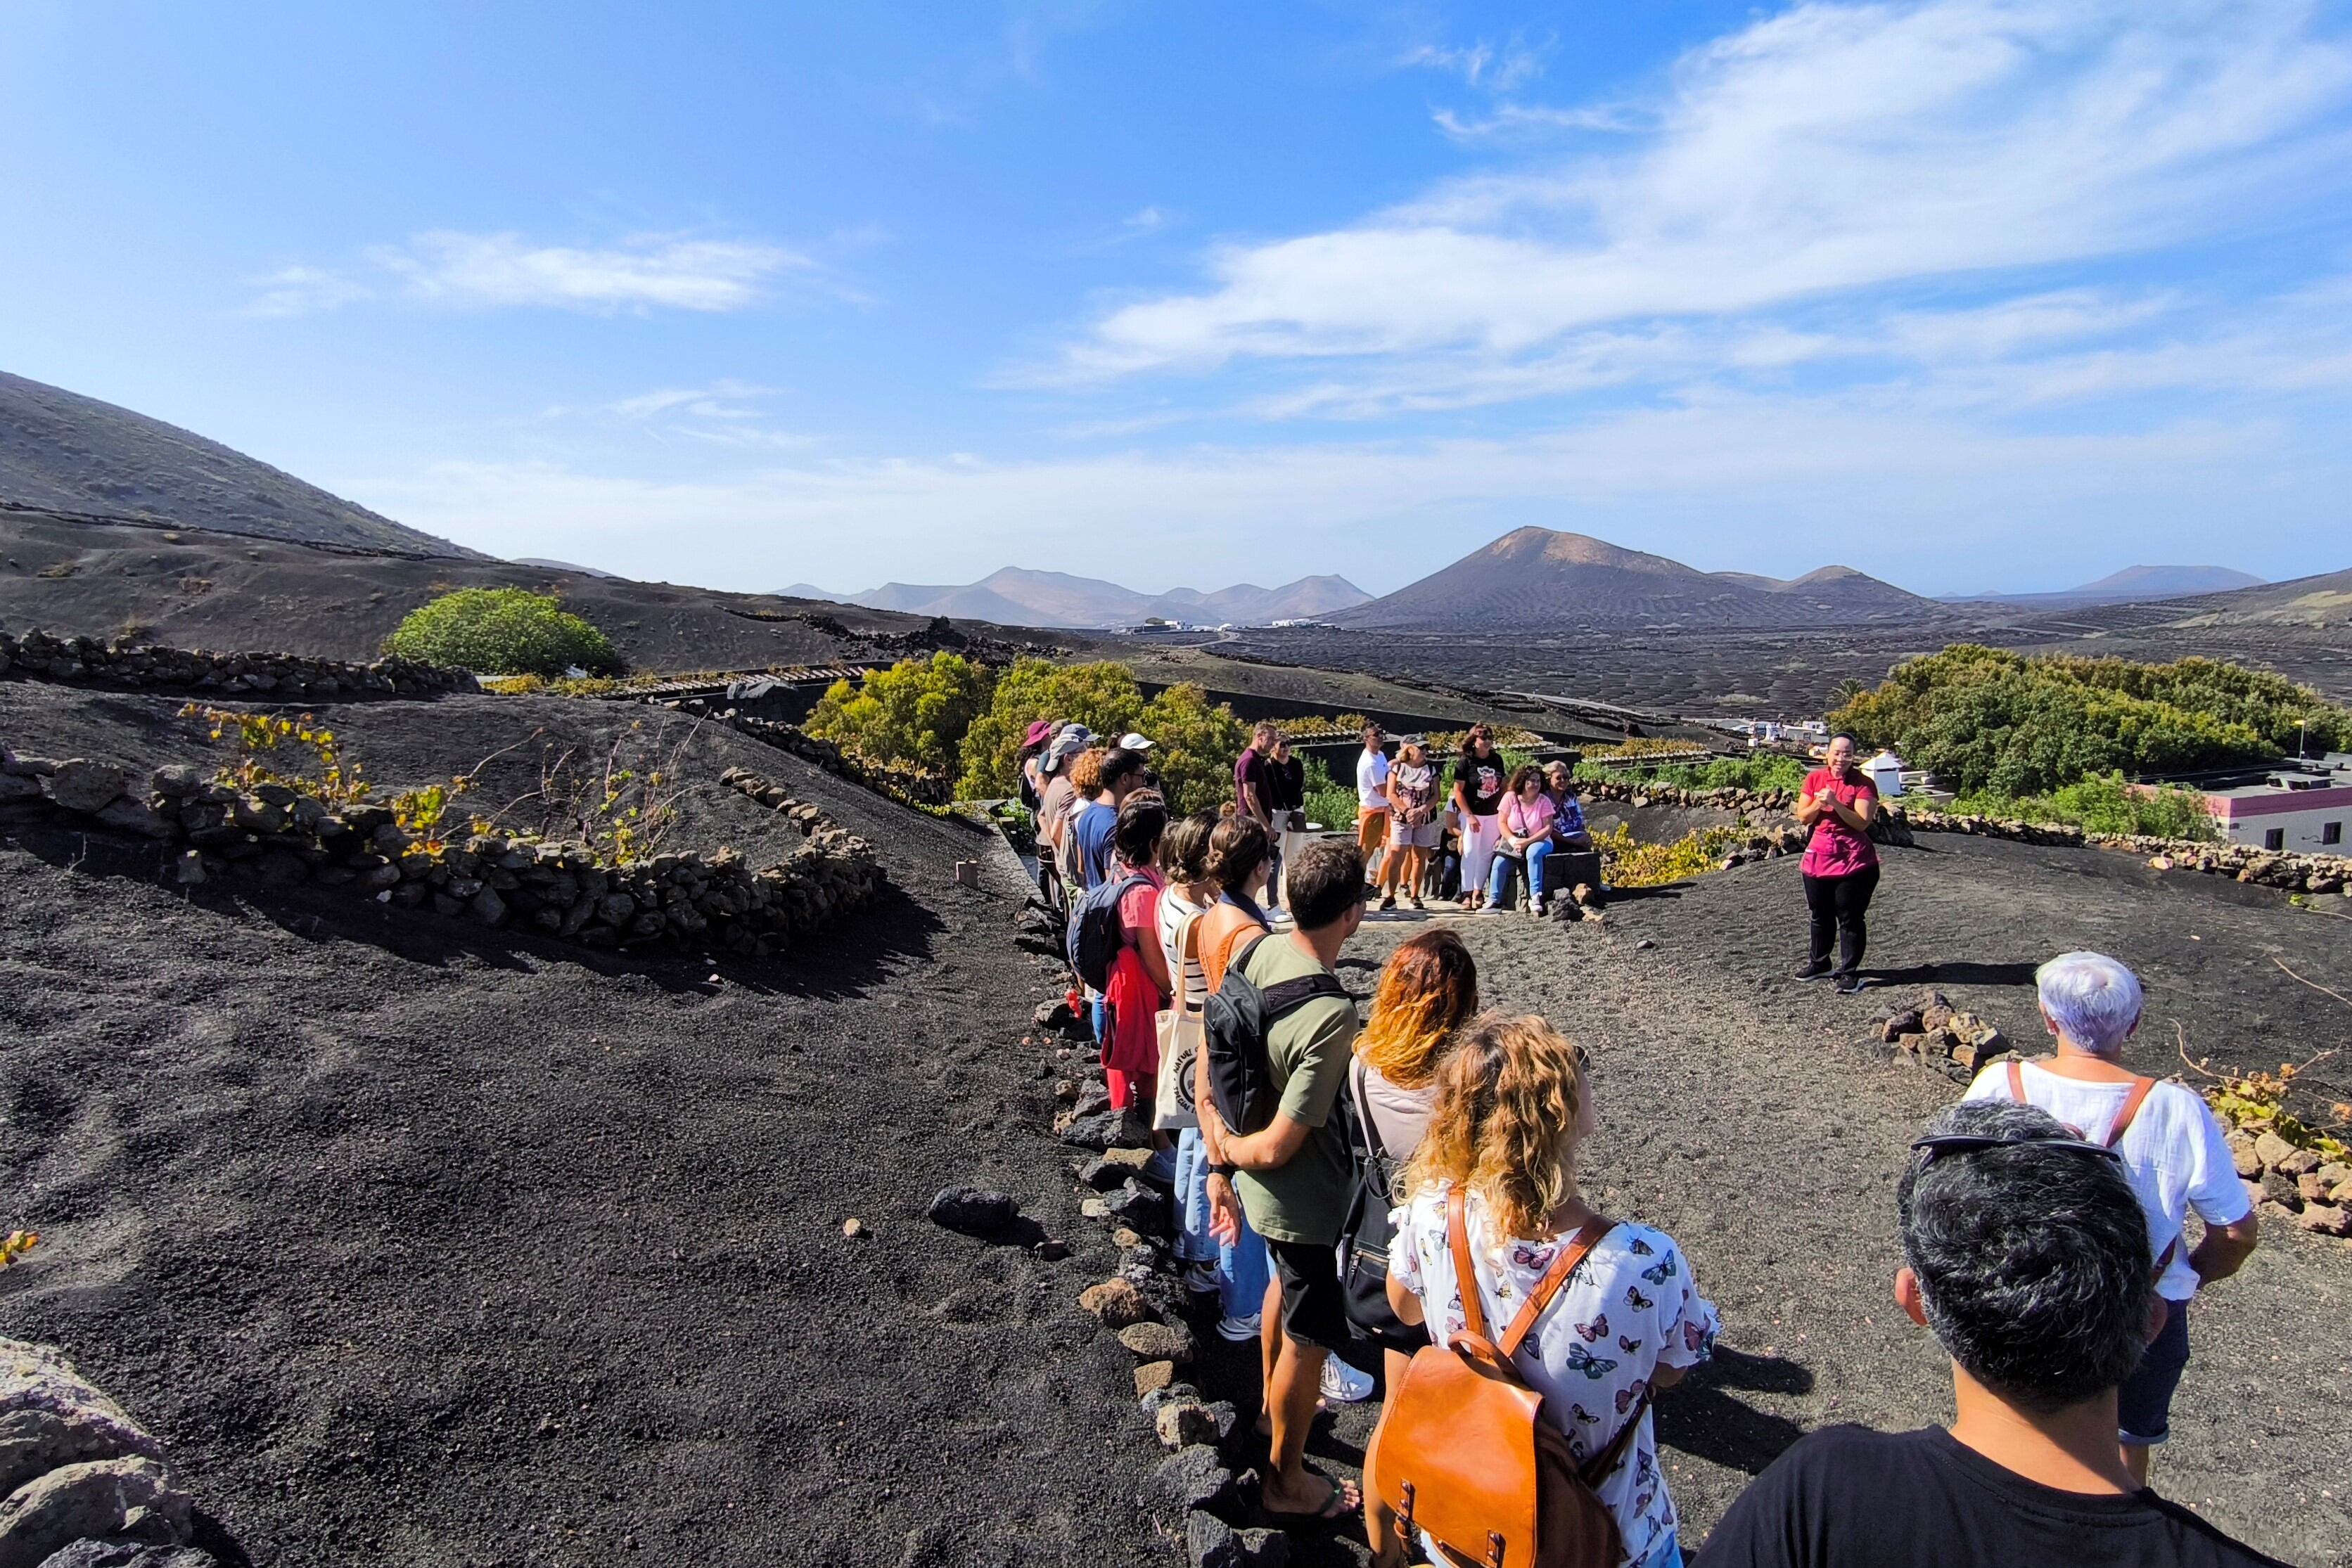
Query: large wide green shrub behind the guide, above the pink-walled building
column 1986, row 721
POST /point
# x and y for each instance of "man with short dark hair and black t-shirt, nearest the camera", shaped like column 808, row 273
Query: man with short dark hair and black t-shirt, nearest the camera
column 2026, row 1254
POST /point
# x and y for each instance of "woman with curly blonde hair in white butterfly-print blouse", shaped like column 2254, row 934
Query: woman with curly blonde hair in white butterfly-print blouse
column 1514, row 1108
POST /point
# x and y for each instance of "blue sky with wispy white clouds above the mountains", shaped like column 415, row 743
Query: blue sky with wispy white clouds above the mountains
column 1970, row 293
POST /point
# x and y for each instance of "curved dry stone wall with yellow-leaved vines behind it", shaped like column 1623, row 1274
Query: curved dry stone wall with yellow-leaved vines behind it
column 274, row 836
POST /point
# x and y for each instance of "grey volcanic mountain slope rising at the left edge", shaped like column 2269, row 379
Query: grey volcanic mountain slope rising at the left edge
column 79, row 455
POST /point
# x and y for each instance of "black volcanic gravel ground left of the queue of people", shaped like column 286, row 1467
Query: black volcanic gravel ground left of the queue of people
column 425, row 1245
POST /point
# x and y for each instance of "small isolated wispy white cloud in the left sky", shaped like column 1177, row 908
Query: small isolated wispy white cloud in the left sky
column 507, row 272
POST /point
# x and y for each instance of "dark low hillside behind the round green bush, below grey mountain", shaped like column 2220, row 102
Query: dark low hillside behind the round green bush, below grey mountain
column 227, row 591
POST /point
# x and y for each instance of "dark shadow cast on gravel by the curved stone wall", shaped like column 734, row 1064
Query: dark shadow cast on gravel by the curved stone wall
column 829, row 967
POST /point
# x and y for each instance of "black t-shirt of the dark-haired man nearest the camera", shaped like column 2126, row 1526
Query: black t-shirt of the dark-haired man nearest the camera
column 1859, row 1499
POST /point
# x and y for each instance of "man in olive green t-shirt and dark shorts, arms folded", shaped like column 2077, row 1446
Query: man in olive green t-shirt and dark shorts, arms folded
column 1295, row 1177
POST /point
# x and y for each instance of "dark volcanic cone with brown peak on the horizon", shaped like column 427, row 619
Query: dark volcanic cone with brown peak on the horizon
column 1570, row 582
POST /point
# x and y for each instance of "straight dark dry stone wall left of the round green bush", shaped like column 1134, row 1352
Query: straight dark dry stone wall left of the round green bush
column 243, row 676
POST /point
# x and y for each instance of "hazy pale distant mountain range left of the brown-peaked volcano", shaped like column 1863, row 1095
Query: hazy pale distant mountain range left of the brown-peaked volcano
column 1020, row 596
